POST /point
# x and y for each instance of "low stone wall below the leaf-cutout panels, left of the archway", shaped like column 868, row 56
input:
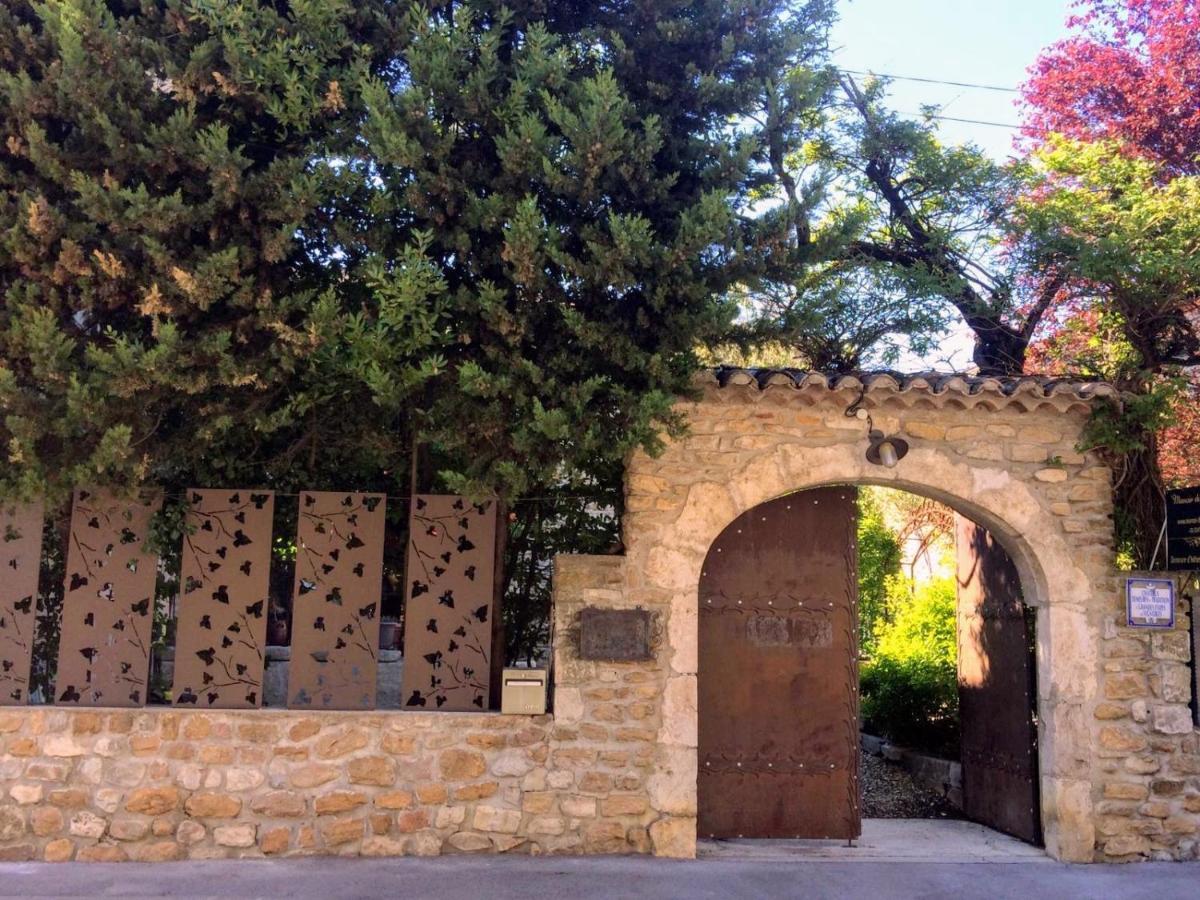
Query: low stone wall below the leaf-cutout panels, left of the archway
column 166, row 784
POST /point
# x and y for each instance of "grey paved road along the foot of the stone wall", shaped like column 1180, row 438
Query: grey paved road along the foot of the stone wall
column 584, row 879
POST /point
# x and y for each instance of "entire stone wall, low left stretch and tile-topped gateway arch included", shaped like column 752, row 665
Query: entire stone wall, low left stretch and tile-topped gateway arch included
column 614, row 770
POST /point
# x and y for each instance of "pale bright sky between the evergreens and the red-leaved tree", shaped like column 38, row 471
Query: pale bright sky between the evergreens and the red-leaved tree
column 988, row 43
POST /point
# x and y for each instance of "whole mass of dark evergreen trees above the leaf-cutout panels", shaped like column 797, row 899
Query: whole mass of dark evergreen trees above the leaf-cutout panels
column 250, row 243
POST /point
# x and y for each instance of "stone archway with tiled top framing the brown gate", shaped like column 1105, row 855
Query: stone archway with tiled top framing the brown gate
column 1005, row 460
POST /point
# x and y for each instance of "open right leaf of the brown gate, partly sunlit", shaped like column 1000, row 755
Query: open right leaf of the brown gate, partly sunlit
column 997, row 689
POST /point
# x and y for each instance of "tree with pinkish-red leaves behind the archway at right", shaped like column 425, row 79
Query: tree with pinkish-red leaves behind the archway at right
column 1130, row 73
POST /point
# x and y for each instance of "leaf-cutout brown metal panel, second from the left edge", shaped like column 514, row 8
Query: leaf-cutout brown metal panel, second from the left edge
column 107, row 603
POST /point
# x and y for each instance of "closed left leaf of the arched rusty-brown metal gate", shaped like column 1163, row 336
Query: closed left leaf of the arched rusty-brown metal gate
column 779, row 673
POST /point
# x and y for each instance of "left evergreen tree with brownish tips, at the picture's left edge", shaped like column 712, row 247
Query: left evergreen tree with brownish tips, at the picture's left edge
column 166, row 253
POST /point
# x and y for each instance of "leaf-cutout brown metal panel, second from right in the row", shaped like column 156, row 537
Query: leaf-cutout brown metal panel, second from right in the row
column 335, row 608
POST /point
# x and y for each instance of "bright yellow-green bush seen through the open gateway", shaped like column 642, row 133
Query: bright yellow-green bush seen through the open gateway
column 910, row 685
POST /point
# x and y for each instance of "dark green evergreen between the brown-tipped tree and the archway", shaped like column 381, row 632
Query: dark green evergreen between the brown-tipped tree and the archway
column 577, row 170
